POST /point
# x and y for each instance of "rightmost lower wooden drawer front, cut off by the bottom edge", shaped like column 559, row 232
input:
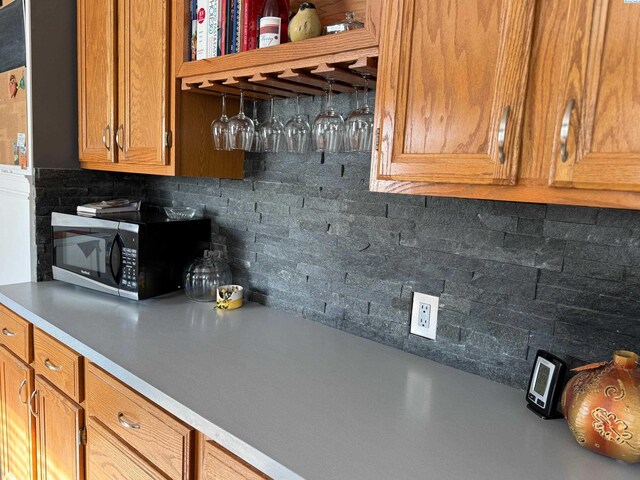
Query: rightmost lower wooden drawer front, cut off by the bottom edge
column 220, row 464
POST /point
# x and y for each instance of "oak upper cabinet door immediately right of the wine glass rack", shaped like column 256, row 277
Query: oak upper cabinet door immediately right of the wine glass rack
column 451, row 87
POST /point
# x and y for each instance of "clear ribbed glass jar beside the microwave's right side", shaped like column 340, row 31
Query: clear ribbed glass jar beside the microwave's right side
column 204, row 275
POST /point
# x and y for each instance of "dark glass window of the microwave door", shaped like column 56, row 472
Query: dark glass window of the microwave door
column 86, row 251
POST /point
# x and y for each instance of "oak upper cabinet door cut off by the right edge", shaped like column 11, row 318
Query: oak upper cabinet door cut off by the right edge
column 598, row 101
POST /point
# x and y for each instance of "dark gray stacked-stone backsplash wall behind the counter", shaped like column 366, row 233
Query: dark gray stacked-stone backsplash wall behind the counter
column 304, row 234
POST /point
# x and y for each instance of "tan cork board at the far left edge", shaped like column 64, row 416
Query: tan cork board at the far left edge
column 13, row 115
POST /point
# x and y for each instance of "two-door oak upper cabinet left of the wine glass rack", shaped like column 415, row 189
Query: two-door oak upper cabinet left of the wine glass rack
column 132, row 114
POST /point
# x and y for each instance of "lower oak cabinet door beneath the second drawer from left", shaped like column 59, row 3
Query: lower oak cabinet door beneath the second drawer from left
column 59, row 423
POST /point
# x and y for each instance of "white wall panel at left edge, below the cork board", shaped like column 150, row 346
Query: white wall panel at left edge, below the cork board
column 15, row 229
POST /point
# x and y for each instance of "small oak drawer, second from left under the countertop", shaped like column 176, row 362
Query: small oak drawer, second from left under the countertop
column 59, row 364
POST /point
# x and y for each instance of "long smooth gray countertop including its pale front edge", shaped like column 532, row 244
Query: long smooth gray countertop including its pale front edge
column 298, row 399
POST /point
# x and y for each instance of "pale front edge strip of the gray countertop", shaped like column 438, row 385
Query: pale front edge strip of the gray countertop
column 237, row 446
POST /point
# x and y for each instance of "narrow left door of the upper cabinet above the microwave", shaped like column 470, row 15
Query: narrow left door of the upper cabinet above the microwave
column 96, row 80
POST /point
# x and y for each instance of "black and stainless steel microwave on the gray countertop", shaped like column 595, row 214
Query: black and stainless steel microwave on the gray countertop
column 134, row 255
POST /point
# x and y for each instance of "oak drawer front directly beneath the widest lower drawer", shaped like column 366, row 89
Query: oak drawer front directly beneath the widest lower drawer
column 108, row 458
